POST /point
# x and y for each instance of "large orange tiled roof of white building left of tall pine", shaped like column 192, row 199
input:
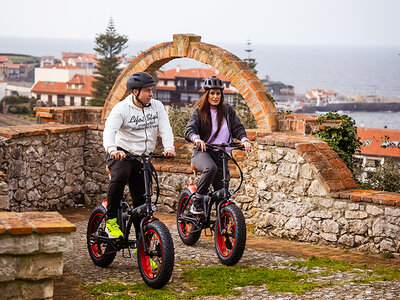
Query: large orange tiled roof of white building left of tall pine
column 61, row 88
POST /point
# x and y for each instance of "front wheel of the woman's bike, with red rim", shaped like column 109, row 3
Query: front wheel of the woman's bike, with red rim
column 231, row 243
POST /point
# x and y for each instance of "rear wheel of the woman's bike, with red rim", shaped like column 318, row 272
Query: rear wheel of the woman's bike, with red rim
column 185, row 228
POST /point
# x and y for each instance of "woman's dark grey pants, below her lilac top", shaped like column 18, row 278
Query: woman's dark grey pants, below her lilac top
column 209, row 163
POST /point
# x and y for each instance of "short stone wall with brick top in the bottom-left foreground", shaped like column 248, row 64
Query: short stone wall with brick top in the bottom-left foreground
column 31, row 248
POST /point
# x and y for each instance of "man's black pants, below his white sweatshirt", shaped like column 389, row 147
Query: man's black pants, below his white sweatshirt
column 123, row 172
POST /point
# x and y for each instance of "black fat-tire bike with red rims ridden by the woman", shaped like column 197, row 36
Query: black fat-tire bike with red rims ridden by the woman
column 228, row 227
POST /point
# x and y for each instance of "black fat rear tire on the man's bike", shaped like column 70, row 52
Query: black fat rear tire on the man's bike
column 101, row 260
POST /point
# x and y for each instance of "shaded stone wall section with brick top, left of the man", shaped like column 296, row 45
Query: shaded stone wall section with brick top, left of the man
column 51, row 167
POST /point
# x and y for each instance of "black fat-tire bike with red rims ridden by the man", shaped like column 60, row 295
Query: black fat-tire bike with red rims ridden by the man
column 154, row 239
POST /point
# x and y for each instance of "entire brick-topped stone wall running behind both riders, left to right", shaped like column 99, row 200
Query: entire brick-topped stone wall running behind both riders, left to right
column 295, row 185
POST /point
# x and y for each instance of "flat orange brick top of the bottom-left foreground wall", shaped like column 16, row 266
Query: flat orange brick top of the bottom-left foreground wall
column 14, row 223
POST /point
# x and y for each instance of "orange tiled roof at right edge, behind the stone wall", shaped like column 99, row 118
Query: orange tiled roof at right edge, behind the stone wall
column 373, row 139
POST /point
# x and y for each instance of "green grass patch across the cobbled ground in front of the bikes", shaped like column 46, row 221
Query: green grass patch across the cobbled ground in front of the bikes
column 223, row 281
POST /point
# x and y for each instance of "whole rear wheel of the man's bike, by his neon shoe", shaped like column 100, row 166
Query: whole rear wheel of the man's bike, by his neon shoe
column 100, row 252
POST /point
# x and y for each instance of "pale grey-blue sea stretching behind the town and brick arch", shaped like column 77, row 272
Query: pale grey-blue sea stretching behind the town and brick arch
column 347, row 70
